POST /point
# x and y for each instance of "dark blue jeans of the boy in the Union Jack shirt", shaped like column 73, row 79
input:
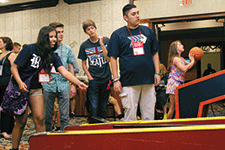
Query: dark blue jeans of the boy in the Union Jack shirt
column 97, row 98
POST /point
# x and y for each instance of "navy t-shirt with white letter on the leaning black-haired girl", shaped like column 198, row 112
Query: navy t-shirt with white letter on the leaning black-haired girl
column 29, row 61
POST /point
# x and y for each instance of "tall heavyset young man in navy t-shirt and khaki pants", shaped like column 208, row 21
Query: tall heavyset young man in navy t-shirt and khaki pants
column 137, row 48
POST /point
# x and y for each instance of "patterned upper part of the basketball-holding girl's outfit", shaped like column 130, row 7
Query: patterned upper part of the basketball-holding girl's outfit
column 177, row 74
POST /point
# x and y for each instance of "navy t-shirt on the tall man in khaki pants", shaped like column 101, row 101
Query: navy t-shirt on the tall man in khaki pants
column 139, row 69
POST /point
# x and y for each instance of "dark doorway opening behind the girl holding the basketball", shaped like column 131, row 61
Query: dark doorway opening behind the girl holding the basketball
column 202, row 37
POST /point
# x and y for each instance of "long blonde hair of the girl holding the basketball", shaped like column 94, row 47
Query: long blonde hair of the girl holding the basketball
column 172, row 53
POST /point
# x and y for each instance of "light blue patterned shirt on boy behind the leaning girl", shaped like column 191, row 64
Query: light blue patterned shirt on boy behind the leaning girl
column 58, row 82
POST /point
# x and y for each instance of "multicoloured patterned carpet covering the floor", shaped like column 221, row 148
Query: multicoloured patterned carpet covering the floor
column 218, row 110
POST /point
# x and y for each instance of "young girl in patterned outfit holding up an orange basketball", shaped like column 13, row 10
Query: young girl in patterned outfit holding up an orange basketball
column 177, row 67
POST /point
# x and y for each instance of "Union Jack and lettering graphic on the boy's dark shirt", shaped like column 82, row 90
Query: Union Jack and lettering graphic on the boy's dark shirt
column 95, row 56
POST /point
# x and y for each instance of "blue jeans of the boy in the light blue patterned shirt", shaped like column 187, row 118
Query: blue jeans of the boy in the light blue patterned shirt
column 63, row 101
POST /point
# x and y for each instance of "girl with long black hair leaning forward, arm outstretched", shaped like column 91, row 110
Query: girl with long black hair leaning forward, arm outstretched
column 32, row 57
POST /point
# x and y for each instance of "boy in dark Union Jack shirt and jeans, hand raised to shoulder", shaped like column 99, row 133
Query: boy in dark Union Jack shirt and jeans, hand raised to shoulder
column 98, row 73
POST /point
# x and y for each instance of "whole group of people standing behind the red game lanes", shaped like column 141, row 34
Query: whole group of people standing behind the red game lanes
column 135, row 81
